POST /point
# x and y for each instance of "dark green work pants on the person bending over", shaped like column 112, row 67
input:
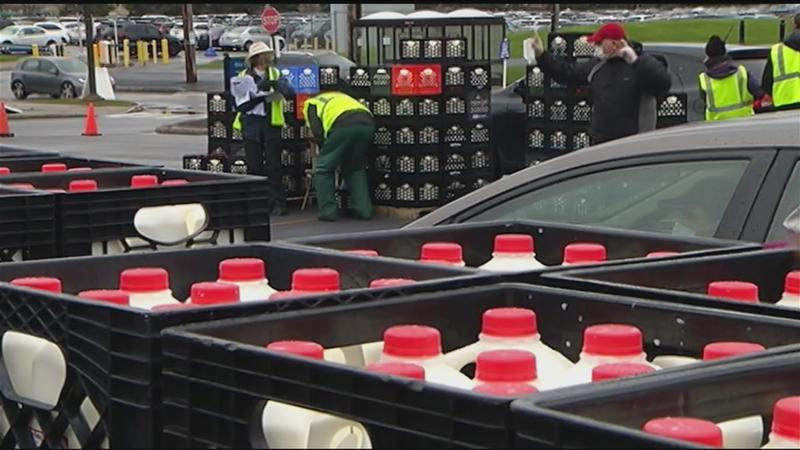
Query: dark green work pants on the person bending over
column 345, row 147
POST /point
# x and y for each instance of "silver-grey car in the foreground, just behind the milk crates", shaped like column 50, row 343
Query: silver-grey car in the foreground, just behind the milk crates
column 733, row 179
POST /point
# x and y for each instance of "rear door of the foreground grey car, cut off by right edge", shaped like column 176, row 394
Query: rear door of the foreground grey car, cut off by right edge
column 778, row 197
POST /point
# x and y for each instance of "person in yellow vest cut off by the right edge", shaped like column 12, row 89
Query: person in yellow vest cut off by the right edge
column 781, row 78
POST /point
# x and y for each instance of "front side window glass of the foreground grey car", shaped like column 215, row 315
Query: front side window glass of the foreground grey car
column 684, row 198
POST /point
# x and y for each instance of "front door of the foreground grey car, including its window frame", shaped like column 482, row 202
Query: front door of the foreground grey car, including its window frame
column 704, row 193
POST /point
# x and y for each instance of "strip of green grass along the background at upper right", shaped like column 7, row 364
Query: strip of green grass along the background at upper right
column 757, row 32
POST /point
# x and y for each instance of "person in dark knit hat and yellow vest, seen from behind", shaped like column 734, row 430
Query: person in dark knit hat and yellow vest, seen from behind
column 727, row 88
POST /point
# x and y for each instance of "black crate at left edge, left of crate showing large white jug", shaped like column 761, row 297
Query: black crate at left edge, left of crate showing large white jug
column 27, row 225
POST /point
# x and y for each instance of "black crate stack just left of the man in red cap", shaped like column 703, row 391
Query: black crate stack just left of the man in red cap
column 558, row 115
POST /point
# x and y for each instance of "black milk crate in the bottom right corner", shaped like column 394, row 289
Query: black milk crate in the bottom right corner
column 611, row 415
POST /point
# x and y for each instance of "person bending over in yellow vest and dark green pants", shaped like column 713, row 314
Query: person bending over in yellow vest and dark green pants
column 345, row 130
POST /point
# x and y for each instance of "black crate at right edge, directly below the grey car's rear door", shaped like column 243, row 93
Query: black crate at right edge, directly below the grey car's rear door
column 686, row 281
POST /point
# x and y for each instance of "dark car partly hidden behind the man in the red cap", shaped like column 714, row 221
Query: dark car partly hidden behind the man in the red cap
column 684, row 62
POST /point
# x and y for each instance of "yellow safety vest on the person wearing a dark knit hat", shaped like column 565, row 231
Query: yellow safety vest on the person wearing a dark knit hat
column 727, row 98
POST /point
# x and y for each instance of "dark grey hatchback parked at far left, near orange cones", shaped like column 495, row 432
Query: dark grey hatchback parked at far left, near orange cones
column 55, row 76
